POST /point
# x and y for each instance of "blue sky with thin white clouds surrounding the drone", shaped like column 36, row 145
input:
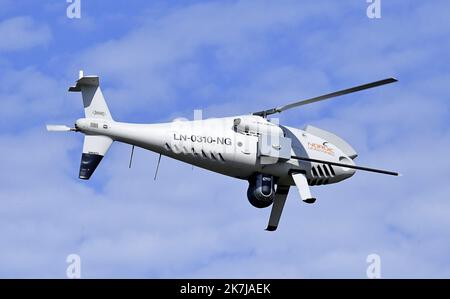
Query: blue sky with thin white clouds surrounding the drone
column 159, row 60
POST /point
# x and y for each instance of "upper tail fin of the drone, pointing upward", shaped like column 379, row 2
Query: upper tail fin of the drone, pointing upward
column 93, row 100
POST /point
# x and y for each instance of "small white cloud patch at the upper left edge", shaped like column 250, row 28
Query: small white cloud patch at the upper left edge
column 22, row 33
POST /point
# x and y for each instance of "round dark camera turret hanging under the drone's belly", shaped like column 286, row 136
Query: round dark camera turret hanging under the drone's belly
column 261, row 190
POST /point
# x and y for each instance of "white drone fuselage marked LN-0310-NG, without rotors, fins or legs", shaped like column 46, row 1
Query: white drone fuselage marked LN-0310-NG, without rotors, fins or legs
column 238, row 146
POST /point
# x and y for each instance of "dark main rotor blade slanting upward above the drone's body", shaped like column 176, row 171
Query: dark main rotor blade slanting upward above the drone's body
column 326, row 96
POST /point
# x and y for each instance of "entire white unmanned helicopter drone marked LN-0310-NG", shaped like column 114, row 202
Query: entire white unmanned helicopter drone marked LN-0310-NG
column 271, row 157
